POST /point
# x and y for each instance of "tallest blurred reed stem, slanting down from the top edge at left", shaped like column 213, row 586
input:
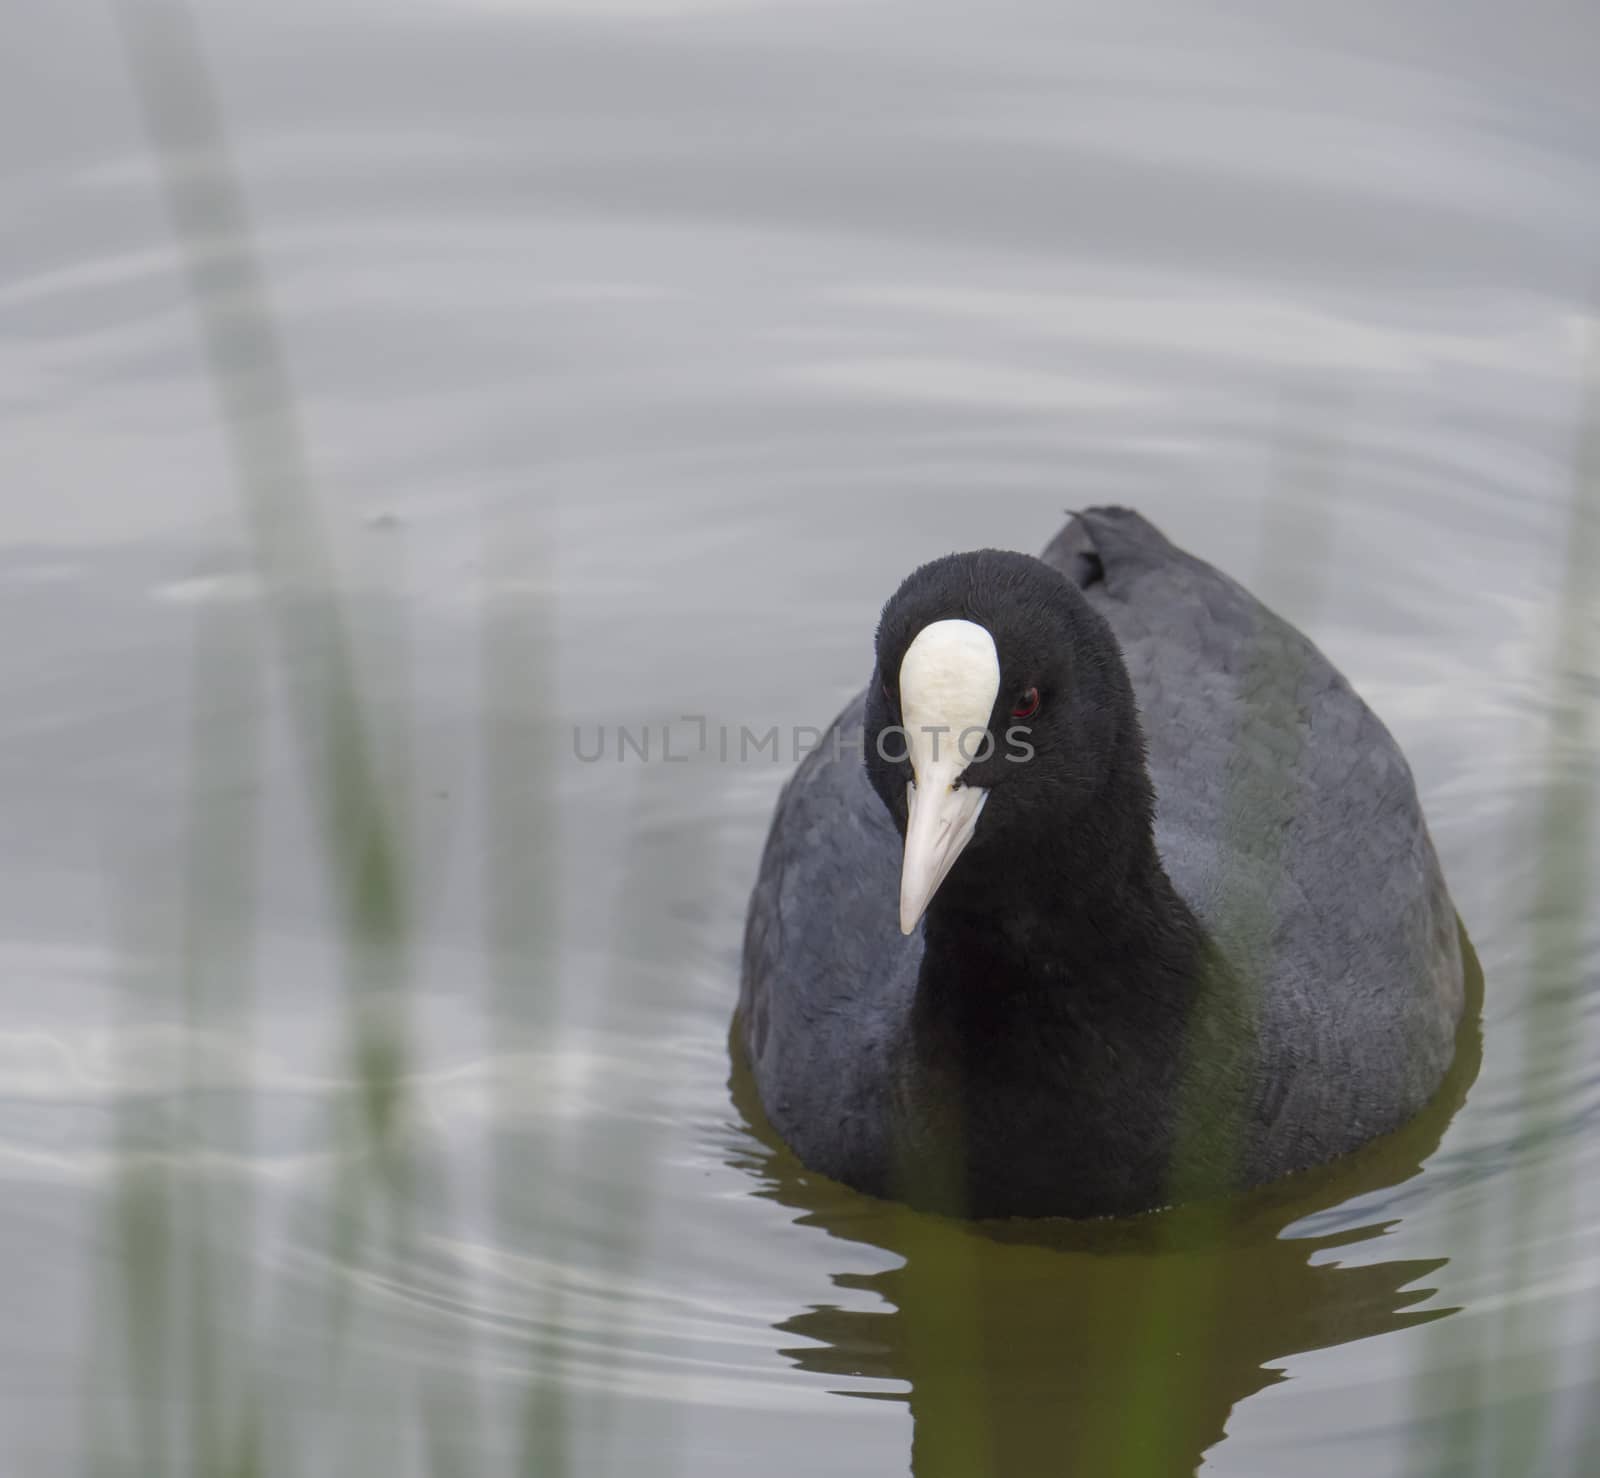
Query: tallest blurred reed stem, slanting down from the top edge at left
column 258, row 412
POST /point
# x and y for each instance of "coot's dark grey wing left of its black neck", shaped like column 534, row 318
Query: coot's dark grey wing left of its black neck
column 828, row 975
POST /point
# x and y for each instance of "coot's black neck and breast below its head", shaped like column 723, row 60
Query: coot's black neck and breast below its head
column 1041, row 1020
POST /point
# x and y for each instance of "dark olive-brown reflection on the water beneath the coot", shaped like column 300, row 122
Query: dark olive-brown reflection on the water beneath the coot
column 1114, row 1348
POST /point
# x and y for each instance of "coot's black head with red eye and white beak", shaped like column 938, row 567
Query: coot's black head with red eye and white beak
column 998, row 709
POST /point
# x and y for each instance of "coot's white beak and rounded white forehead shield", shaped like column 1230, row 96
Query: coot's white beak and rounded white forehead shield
column 948, row 681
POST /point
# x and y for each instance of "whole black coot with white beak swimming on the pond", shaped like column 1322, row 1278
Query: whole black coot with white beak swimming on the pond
column 1106, row 893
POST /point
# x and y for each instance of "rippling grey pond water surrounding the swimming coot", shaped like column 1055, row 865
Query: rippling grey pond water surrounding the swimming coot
column 366, row 1092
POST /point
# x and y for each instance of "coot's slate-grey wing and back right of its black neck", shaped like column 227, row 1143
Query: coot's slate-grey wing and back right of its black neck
column 1289, row 820
